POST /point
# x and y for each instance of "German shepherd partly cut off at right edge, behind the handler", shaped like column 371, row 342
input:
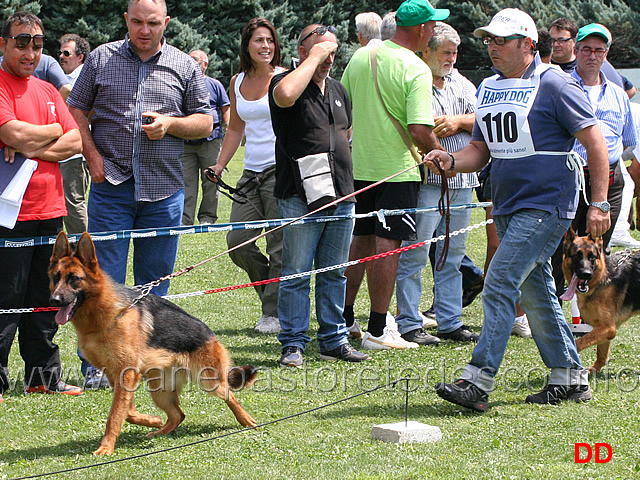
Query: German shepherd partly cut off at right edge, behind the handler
column 608, row 290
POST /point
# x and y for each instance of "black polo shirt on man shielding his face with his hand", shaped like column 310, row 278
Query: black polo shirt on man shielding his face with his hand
column 303, row 129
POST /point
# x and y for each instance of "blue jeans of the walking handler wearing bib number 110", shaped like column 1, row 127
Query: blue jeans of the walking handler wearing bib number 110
column 521, row 271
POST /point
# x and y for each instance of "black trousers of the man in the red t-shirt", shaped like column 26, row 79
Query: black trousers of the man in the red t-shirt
column 24, row 283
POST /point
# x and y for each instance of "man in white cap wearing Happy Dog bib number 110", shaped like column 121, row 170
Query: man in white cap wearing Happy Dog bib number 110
column 527, row 118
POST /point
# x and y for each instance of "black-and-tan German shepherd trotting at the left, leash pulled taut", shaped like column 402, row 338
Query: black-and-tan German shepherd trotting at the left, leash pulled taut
column 151, row 338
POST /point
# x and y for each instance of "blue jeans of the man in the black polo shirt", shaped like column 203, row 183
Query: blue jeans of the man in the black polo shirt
column 307, row 246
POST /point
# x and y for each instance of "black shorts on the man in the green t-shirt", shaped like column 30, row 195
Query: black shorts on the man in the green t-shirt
column 389, row 196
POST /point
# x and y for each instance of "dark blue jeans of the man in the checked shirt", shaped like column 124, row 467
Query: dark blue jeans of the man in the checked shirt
column 113, row 208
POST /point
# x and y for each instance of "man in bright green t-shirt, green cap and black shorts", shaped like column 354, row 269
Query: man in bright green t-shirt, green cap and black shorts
column 379, row 151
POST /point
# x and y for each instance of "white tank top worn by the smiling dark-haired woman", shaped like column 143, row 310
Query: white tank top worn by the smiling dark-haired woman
column 259, row 149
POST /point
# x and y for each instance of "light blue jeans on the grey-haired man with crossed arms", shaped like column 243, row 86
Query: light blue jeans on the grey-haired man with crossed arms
column 448, row 282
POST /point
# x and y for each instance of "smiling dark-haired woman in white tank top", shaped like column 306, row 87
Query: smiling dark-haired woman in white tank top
column 250, row 118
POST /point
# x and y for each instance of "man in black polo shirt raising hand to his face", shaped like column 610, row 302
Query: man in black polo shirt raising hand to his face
column 303, row 103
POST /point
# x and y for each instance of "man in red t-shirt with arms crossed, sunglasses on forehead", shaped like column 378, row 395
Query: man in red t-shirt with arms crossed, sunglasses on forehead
column 35, row 121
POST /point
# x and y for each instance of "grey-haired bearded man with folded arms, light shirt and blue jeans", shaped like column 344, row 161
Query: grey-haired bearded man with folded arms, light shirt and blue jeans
column 453, row 107
